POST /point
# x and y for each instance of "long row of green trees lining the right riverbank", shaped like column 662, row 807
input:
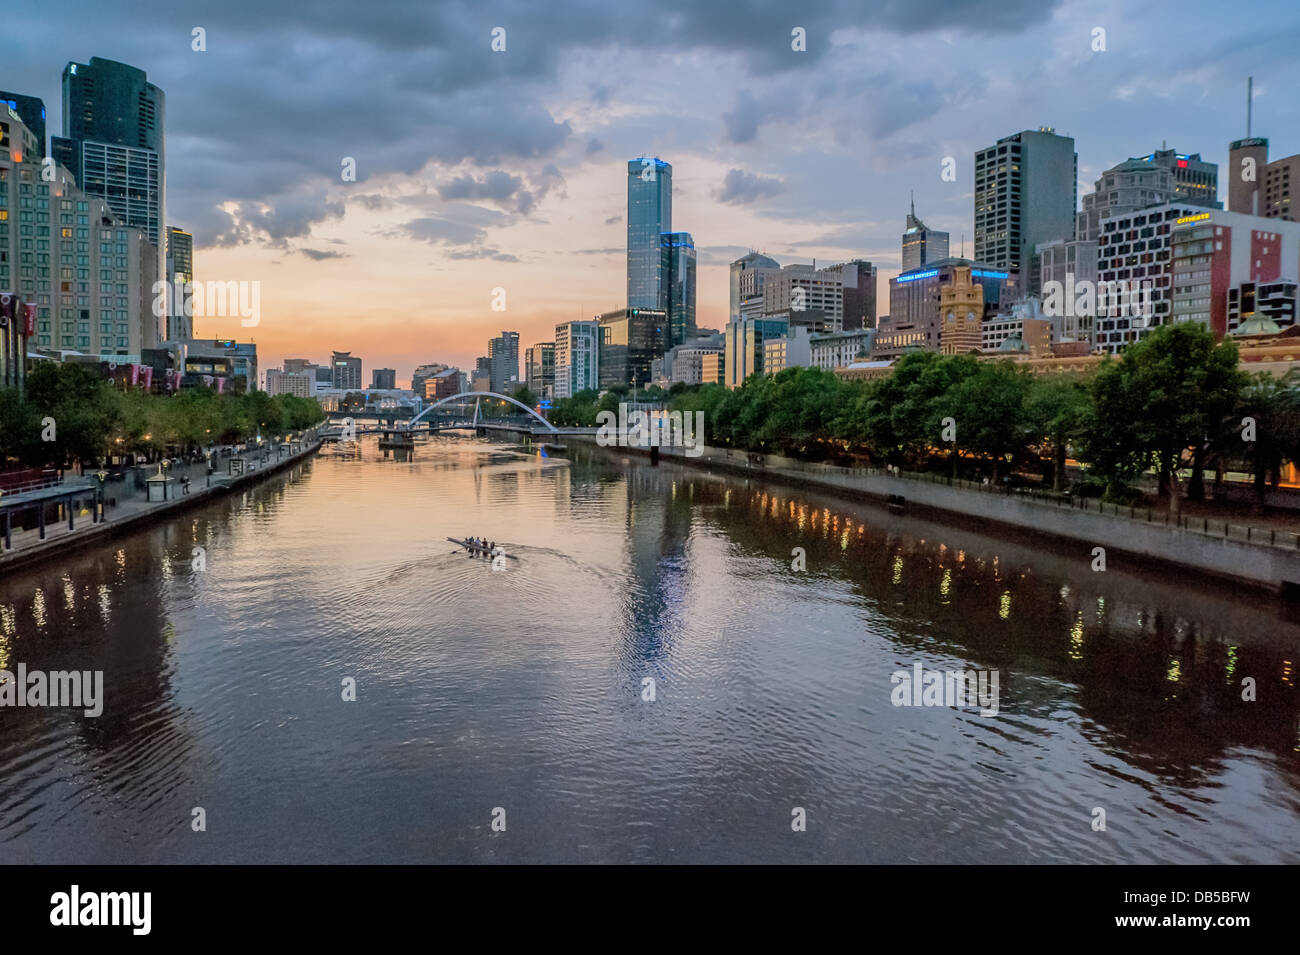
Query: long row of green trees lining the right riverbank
column 1173, row 401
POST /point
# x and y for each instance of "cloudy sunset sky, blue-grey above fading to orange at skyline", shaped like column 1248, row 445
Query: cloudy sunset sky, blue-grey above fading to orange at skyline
column 479, row 170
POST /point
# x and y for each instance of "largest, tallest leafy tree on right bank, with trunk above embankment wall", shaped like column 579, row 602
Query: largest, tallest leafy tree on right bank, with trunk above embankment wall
column 1160, row 401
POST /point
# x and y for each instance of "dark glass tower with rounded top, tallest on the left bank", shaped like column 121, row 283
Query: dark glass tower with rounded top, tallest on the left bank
column 114, row 142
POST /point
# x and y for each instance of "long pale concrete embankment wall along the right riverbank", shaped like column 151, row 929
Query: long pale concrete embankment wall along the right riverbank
column 1266, row 566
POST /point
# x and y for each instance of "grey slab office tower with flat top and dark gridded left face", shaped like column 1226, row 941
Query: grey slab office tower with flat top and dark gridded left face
column 1026, row 194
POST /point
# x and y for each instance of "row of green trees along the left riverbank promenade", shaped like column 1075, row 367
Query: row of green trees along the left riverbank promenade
column 71, row 416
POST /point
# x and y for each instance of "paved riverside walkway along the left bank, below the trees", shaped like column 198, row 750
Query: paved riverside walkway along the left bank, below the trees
column 127, row 506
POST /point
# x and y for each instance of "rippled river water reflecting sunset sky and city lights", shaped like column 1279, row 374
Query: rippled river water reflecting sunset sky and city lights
column 521, row 696
